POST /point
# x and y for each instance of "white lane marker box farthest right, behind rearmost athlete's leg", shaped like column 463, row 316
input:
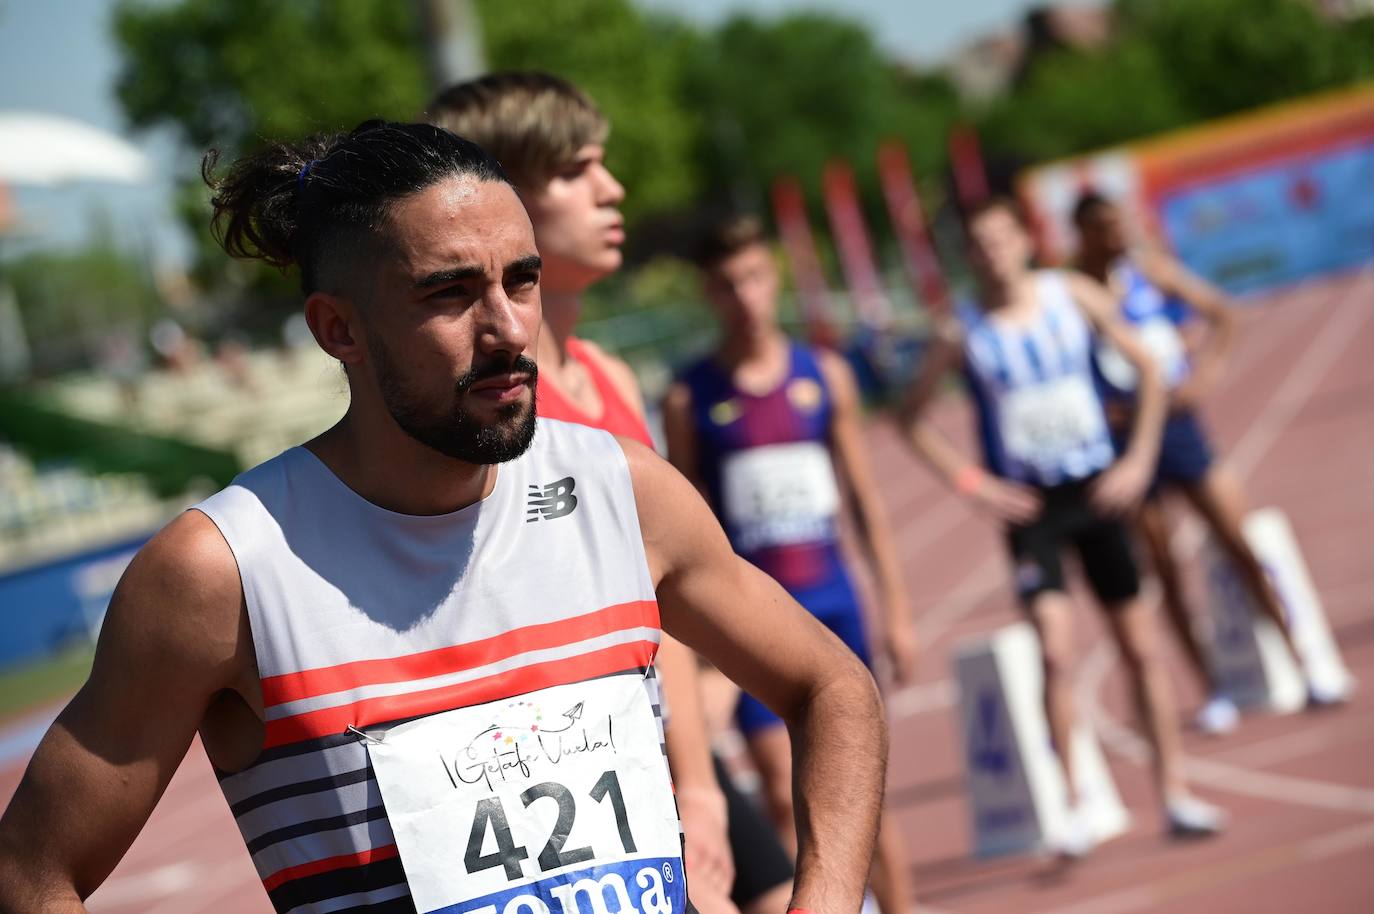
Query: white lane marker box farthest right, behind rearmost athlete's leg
column 1248, row 655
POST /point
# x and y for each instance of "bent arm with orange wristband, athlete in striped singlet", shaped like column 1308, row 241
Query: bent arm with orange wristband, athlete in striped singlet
column 1001, row 498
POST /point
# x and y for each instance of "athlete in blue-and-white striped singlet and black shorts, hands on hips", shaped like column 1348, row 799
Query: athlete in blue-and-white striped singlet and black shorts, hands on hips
column 1053, row 476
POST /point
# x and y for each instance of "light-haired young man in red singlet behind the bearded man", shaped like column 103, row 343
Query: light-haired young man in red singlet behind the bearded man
column 552, row 140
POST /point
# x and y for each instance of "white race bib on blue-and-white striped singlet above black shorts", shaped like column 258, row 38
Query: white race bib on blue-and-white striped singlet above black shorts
column 1044, row 424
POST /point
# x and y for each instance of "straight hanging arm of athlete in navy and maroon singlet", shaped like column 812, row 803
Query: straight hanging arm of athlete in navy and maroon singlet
column 870, row 517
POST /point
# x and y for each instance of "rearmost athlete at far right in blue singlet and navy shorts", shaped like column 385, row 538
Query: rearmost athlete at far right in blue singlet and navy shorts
column 1147, row 284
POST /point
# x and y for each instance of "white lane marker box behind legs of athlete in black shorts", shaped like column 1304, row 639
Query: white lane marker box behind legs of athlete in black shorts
column 1015, row 781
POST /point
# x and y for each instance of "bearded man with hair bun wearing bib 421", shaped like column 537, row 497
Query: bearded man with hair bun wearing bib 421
column 418, row 649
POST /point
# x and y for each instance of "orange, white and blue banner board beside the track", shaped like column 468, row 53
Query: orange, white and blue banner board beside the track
column 1250, row 203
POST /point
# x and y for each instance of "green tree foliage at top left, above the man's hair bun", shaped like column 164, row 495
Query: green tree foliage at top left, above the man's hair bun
column 230, row 74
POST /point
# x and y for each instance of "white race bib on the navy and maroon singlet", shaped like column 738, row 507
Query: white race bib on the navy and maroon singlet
column 780, row 494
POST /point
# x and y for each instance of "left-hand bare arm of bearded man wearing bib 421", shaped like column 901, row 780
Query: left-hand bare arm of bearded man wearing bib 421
column 174, row 638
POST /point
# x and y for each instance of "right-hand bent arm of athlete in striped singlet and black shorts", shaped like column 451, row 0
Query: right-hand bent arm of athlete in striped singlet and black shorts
column 1125, row 483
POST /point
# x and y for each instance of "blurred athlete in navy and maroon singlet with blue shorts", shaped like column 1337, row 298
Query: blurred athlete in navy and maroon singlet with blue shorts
column 772, row 432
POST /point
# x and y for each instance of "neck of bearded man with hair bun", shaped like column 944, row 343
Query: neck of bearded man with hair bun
column 387, row 467
